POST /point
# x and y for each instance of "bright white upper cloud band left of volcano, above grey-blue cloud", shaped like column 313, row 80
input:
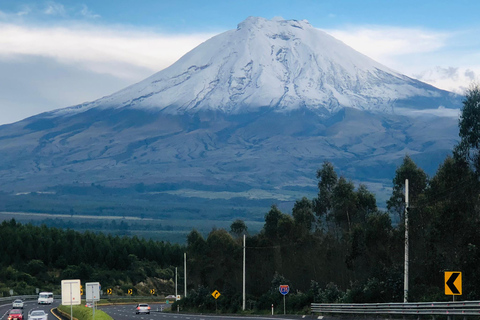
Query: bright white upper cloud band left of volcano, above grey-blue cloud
column 98, row 49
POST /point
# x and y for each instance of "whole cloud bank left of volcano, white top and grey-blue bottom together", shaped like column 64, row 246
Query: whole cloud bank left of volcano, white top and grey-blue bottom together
column 46, row 68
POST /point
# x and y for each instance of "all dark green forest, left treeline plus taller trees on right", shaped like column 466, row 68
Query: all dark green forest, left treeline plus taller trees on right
column 337, row 247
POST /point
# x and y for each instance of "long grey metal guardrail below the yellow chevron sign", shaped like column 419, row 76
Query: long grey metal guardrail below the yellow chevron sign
column 458, row 308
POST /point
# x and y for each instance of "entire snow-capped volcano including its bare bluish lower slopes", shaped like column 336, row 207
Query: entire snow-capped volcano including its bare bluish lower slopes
column 255, row 108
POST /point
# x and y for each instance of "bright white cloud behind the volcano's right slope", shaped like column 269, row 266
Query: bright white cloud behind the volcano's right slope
column 442, row 59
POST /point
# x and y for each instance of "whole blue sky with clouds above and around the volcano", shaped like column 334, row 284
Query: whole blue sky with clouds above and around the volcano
column 55, row 54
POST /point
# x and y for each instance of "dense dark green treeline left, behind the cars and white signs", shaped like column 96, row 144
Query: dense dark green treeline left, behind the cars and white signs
column 40, row 257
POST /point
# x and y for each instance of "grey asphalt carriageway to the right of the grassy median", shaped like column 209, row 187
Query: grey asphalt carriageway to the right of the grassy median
column 127, row 312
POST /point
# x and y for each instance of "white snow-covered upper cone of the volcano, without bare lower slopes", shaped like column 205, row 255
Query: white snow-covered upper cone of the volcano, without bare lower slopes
column 283, row 64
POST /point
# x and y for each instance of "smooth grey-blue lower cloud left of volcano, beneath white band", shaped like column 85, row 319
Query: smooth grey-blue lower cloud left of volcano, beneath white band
column 31, row 84
